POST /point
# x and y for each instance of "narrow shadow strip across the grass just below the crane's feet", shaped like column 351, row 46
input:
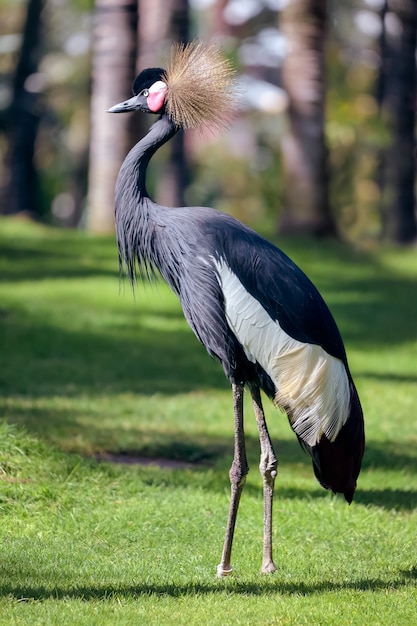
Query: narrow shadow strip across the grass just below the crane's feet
column 271, row 585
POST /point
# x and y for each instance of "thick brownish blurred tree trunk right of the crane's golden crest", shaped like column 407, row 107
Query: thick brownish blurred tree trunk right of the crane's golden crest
column 305, row 158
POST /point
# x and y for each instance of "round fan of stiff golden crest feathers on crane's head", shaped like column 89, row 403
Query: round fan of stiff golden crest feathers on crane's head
column 200, row 83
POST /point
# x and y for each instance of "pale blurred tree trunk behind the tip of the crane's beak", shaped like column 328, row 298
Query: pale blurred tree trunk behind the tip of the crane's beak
column 113, row 71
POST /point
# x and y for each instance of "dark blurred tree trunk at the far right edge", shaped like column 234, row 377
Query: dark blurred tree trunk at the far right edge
column 397, row 94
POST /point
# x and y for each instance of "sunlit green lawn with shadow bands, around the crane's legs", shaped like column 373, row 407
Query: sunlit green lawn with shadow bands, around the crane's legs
column 86, row 370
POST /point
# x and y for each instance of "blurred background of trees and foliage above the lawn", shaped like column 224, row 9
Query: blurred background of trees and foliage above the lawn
column 60, row 68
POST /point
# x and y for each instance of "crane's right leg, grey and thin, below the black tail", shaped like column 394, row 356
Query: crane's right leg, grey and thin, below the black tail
column 268, row 467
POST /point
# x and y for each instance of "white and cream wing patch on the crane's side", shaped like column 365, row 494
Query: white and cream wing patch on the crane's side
column 313, row 386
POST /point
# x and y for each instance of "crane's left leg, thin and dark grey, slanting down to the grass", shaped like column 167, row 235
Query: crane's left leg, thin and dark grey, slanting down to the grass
column 237, row 474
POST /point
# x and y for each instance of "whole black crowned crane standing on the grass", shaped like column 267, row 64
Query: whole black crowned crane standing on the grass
column 246, row 301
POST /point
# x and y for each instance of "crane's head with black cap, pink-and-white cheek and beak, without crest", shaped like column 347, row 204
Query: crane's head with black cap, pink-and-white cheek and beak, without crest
column 149, row 91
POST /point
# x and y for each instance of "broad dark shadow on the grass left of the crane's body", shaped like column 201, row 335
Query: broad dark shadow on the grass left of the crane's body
column 44, row 359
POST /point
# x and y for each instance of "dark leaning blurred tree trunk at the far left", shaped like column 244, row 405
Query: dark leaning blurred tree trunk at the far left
column 19, row 191
